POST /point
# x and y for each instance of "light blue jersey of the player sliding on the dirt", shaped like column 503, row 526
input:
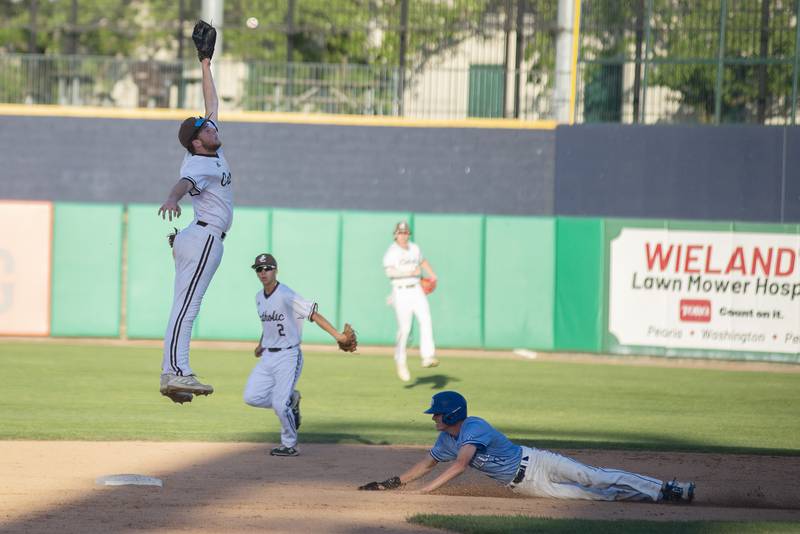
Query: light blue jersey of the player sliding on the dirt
column 495, row 455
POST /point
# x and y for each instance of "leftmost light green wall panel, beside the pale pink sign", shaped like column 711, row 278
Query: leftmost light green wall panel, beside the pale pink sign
column 87, row 279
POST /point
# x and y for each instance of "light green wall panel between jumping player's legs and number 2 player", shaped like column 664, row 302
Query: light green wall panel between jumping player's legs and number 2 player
column 229, row 307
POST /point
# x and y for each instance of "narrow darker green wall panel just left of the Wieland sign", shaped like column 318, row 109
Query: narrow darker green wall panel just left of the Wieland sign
column 580, row 278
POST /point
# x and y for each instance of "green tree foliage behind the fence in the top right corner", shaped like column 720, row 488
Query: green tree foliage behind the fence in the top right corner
column 759, row 45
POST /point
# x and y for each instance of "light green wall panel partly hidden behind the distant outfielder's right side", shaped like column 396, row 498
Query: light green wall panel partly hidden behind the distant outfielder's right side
column 453, row 244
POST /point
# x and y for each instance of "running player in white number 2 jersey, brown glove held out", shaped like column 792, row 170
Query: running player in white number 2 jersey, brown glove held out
column 272, row 382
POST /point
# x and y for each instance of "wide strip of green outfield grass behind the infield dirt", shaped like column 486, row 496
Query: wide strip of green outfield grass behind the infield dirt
column 91, row 392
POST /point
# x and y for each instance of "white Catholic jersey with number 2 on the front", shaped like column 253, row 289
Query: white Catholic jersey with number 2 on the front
column 282, row 314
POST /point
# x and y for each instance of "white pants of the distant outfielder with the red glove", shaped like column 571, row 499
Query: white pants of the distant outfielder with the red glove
column 409, row 302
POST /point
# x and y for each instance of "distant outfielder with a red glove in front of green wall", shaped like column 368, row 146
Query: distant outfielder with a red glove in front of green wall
column 403, row 264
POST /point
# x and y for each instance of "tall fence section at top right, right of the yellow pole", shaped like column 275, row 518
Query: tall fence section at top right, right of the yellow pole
column 688, row 61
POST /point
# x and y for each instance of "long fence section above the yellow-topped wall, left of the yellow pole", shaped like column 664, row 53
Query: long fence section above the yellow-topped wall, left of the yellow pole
column 414, row 58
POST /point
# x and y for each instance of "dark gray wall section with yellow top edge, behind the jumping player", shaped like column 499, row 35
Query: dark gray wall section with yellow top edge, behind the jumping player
column 286, row 165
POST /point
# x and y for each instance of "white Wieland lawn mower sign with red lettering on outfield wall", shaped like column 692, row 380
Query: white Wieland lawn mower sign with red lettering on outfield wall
column 705, row 290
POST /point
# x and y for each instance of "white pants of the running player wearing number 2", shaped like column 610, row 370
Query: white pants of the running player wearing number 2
column 270, row 385
